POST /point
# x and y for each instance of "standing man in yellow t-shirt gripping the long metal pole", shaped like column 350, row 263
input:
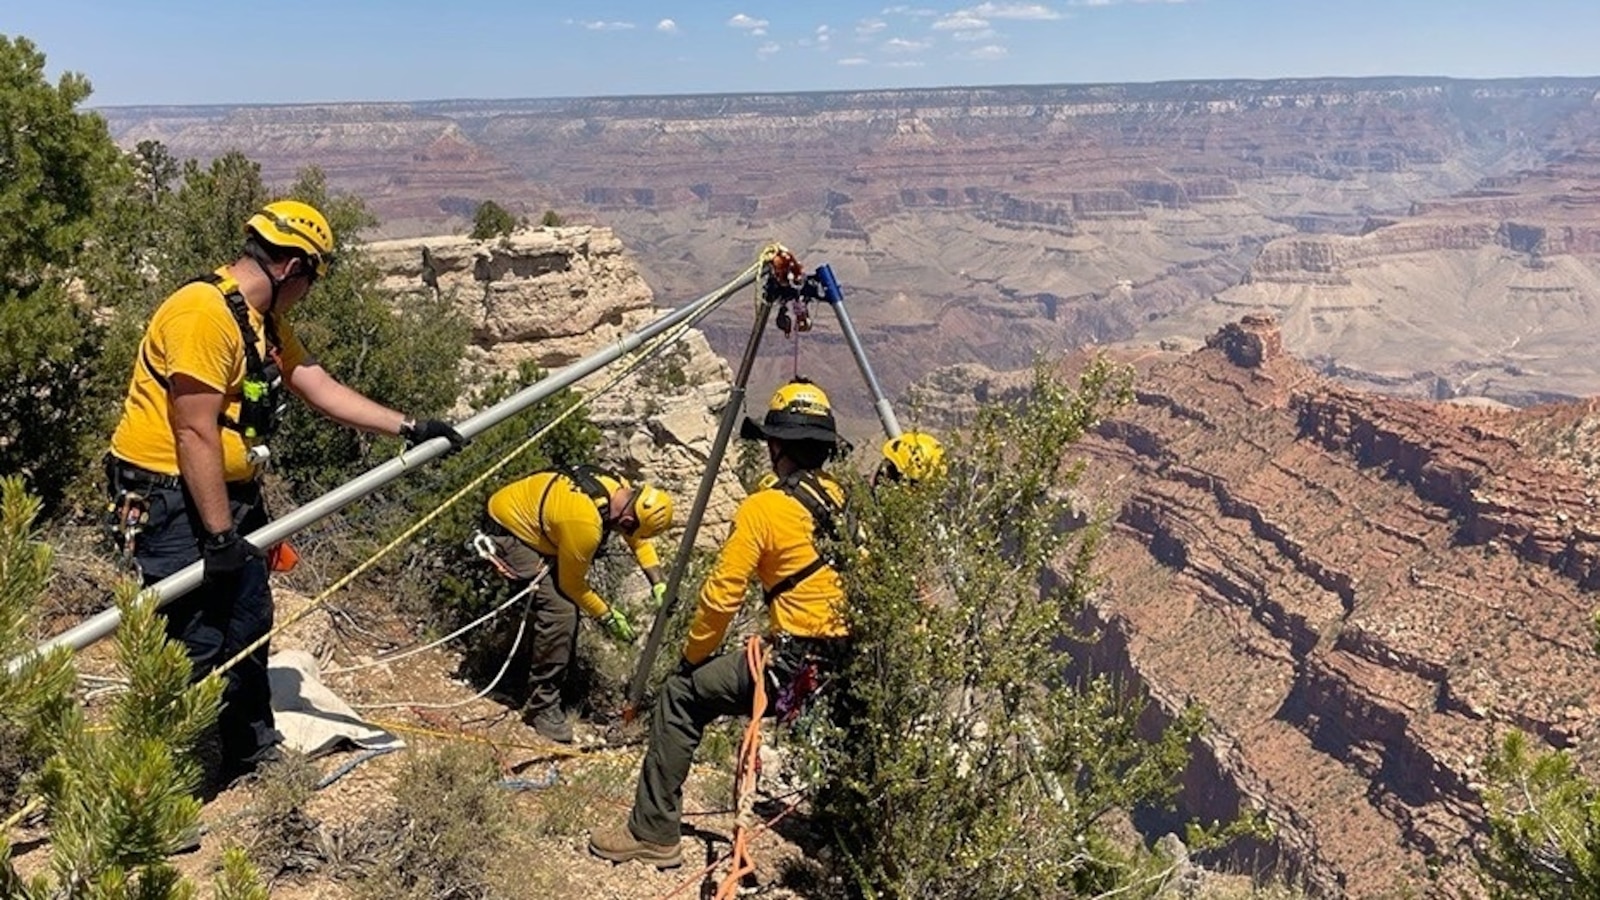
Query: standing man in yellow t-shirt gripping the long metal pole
column 207, row 390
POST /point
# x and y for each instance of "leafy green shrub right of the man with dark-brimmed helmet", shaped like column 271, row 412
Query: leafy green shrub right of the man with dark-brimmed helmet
column 969, row 763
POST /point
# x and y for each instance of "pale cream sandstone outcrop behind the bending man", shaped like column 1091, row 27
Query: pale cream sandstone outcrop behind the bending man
column 553, row 297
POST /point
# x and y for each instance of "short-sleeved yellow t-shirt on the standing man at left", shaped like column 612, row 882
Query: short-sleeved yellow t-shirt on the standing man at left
column 193, row 334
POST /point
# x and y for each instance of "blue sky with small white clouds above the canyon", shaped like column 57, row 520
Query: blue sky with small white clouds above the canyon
column 191, row 52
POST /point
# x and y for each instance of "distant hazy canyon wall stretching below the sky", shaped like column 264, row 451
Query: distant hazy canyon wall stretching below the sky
column 980, row 225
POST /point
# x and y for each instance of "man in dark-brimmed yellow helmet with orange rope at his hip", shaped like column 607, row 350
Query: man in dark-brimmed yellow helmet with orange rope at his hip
column 774, row 540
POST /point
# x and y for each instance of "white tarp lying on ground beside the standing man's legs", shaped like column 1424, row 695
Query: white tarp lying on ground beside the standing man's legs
column 314, row 721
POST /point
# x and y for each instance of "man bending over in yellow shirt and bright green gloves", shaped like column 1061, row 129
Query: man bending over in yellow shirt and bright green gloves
column 561, row 520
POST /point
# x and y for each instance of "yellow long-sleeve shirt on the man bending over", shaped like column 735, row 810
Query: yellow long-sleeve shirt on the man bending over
column 550, row 513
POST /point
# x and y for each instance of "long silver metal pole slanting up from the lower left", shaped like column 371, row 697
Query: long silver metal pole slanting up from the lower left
column 188, row 579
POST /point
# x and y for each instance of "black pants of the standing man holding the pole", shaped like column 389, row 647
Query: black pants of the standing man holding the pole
column 218, row 619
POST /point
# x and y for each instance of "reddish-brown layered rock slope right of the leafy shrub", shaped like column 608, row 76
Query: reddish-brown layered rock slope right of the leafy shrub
column 1366, row 593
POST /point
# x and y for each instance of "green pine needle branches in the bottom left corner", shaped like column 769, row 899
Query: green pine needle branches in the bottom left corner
column 119, row 794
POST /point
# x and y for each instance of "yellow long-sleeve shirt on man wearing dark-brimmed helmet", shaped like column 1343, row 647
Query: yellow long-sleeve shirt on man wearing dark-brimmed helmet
column 774, row 537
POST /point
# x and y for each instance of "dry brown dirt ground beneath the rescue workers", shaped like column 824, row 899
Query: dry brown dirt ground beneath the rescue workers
column 546, row 853
